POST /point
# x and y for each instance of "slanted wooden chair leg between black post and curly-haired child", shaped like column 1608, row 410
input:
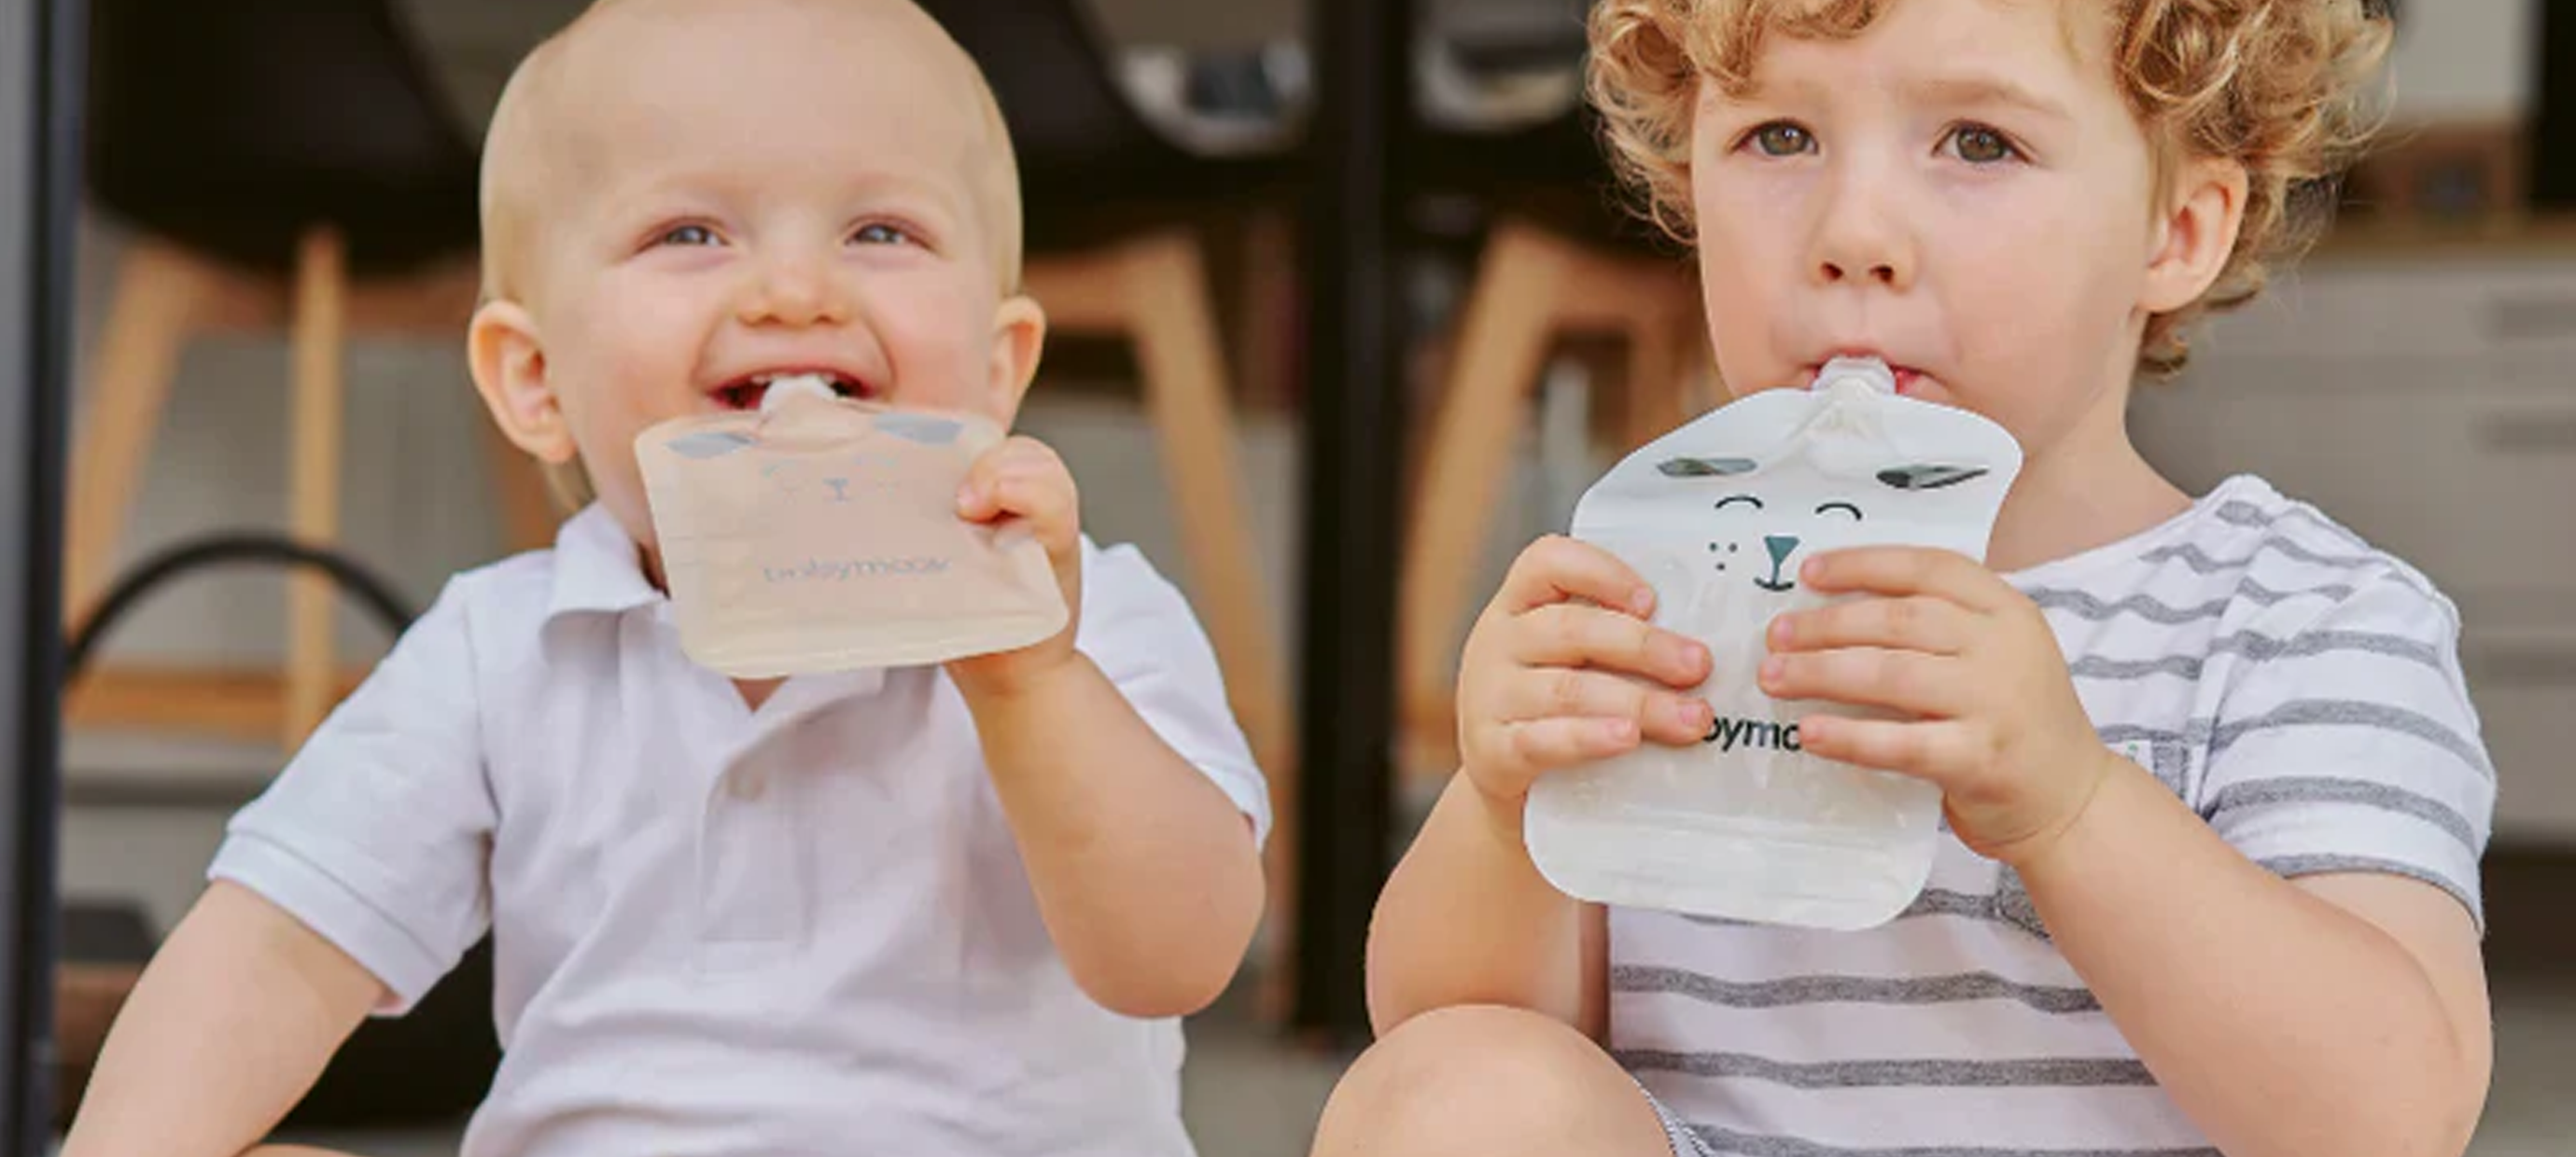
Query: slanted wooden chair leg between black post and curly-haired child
column 1503, row 339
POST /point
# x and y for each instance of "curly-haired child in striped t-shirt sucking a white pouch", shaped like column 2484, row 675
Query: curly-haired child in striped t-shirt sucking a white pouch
column 2214, row 785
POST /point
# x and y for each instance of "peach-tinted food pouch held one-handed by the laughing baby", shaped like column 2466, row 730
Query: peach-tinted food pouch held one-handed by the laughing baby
column 823, row 535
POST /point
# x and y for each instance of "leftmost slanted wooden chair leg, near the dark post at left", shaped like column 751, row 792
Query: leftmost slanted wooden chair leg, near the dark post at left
column 161, row 295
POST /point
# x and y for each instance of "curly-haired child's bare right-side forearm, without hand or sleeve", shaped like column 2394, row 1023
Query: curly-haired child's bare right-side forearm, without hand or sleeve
column 2333, row 1014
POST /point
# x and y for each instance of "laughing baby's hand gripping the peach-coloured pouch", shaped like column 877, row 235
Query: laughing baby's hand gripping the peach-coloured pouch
column 1024, row 486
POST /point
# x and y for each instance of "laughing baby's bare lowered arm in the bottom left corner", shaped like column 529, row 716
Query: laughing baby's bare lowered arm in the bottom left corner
column 225, row 1032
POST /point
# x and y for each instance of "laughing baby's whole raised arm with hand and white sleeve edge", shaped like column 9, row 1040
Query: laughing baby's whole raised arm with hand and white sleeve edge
column 1145, row 870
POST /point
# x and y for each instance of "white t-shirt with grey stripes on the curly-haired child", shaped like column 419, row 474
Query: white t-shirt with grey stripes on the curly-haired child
column 2297, row 687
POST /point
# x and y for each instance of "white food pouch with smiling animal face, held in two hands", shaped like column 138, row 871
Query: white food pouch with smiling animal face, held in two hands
column 1719, row 517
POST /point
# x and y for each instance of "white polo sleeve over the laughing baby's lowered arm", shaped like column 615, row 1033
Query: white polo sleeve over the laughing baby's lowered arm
column 377, row 834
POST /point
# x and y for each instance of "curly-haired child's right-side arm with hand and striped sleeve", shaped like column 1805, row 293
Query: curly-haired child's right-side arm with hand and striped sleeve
column 2338, row 1014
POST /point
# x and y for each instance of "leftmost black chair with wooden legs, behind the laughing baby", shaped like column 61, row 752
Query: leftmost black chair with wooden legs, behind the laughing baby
column 285, row 166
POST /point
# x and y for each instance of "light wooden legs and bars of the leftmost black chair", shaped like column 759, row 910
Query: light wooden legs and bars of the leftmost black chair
column 161, row 303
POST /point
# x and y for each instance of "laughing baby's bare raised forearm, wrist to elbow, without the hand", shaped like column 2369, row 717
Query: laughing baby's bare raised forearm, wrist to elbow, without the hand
column 1145, row 872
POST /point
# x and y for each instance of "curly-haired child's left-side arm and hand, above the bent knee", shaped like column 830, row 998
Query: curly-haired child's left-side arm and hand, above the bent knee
column 1562, row 669
